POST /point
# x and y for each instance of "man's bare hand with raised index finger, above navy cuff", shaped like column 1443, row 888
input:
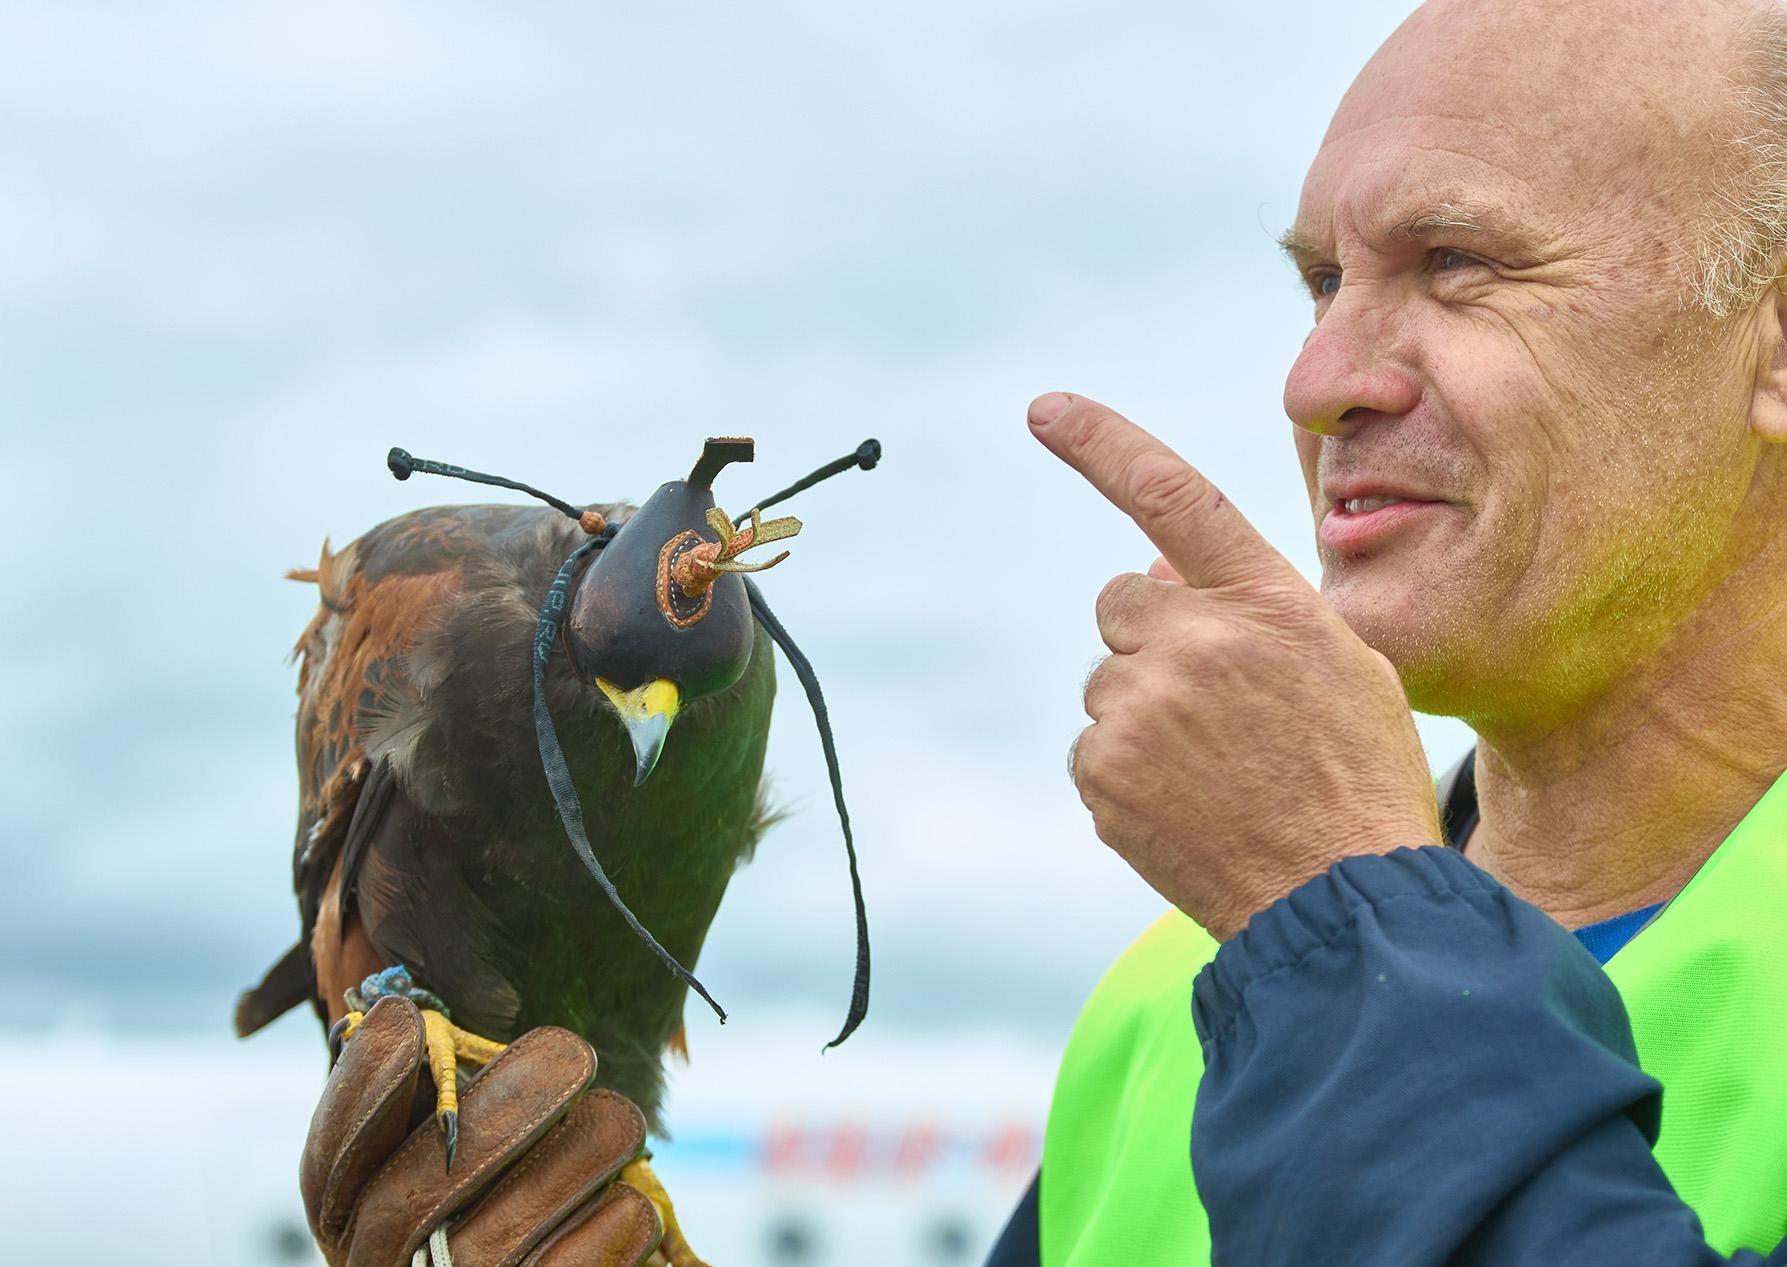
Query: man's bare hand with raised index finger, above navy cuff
column 1243, row 739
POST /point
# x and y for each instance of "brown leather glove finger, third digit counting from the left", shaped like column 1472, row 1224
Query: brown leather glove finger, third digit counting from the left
column 560, row 1175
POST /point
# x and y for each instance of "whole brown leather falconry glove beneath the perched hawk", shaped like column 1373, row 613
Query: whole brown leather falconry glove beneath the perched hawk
column 535, row 1180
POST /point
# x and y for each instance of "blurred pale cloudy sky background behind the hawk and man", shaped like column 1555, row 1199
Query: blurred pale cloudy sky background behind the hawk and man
column 246, row 249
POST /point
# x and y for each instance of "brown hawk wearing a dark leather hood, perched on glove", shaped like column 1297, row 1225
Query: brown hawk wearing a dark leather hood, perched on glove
column 460, row 650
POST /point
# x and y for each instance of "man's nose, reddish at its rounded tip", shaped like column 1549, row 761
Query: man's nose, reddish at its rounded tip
column 1348, row 374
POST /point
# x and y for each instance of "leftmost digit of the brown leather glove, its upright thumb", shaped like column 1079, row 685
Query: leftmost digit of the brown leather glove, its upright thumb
column 362, row 1118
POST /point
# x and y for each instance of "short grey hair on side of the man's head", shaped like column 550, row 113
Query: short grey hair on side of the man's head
column 1745, row 235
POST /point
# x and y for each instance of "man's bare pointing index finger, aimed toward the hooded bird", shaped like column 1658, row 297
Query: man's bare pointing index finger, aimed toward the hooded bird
column 1187, row 517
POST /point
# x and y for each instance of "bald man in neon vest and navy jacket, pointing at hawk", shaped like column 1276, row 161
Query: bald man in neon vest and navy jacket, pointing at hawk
column 1540, row 419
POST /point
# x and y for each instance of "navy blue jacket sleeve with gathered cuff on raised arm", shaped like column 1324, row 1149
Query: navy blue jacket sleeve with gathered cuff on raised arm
column 1407, row 1064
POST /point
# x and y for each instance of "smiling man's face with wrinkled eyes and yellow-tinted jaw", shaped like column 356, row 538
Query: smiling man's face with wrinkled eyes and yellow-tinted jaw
column 1497, row 233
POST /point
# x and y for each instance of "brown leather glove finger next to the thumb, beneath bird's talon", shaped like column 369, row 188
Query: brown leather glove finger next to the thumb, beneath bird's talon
column 517, row 1100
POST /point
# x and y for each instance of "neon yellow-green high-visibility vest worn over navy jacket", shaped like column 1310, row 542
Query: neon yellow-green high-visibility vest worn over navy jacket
column 1704, row 984
